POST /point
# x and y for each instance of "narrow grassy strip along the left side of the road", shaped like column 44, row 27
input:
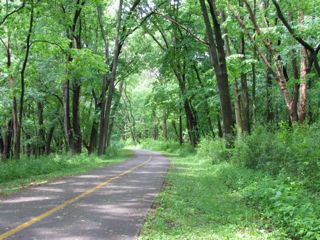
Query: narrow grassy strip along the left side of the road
column 16, row 175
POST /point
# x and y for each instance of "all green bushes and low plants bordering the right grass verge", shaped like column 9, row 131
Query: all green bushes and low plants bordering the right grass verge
column 276, row 171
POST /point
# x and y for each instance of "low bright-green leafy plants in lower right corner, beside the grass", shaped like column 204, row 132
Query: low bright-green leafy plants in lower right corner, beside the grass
column 281, row 200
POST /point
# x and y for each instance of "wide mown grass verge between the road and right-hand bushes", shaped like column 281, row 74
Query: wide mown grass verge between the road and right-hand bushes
column 196, row 204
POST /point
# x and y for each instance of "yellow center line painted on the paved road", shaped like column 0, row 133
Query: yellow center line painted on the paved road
column 68, row 202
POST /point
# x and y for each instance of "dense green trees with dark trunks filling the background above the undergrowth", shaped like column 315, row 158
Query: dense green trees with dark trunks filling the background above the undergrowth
column 215, row 68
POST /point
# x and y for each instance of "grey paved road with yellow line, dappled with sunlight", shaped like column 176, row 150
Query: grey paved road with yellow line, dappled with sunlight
column 108, row 203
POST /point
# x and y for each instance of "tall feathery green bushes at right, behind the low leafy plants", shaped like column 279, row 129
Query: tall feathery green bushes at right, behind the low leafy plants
column 294, row 151
